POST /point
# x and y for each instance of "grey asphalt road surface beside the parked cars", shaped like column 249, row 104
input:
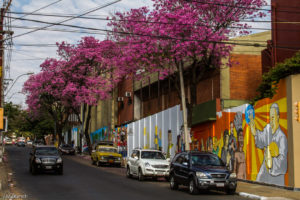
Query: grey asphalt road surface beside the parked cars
column 83, row 181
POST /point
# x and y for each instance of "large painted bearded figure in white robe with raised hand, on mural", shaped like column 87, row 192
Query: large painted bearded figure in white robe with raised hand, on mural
column 274, row 142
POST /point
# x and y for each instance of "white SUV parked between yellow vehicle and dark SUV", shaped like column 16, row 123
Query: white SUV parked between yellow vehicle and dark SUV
column 147, row 163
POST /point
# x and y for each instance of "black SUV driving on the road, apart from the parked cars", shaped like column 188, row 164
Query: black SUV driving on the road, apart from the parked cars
column 45, row 158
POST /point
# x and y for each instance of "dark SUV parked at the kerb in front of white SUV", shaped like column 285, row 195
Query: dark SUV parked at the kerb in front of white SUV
column 201, row 170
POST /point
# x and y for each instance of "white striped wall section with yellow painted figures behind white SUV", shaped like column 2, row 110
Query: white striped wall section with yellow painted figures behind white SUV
column 158, row 131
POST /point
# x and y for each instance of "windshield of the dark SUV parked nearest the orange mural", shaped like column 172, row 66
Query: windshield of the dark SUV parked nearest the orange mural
column 206, row 160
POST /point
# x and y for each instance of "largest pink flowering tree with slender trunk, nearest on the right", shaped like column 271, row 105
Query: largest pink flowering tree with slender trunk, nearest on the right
column 182, row 39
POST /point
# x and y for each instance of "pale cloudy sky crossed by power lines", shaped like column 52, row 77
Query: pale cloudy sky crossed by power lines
column 27, row 56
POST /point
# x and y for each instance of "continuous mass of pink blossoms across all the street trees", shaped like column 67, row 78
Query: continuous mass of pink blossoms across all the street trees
column 173, row 33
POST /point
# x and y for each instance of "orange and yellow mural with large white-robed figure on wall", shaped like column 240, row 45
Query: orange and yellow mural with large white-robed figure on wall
column 250, row 140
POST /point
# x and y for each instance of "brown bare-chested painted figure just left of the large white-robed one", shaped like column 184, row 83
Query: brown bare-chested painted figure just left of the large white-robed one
column 239, row 157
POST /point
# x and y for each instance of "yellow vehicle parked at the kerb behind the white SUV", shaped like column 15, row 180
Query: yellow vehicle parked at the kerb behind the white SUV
column 105, row 154
